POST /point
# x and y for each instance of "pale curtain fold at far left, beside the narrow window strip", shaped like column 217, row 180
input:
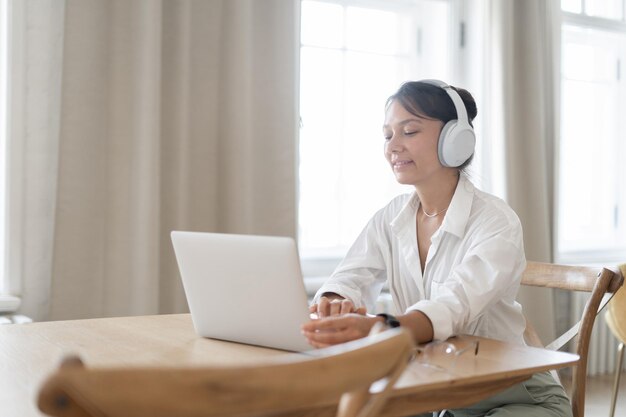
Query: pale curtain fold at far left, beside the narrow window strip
column 35, row 74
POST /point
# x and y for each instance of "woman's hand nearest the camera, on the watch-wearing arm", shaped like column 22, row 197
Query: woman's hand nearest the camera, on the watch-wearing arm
column 333, row 330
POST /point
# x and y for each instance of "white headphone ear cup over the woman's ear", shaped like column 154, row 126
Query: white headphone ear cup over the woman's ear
column 456, row 144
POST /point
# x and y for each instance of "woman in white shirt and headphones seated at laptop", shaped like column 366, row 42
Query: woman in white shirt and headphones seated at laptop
column 451, row 254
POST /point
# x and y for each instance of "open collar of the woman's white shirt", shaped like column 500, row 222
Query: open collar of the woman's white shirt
column 457, row 214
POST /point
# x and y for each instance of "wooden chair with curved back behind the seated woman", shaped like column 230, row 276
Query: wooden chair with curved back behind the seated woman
column 599, row 282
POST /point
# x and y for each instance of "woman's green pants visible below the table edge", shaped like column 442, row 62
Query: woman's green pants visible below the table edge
column 540, row 396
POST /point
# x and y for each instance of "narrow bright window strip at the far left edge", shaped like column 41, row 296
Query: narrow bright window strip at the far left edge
column 4, row 88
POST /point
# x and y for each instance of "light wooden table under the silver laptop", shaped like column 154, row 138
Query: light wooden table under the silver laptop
column 29, row 352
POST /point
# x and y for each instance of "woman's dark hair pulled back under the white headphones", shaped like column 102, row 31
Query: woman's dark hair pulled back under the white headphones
column 432, row 102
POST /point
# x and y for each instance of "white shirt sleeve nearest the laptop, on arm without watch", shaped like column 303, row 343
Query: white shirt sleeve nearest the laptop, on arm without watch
column 361, row 274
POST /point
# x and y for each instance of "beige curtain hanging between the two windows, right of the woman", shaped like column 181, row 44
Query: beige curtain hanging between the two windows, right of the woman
column 524, row 69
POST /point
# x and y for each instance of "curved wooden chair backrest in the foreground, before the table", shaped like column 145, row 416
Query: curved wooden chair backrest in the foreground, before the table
column 286, row 383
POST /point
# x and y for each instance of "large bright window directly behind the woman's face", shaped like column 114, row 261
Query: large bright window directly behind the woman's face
column 353, row 55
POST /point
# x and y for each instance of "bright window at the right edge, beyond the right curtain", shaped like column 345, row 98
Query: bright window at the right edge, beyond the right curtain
column 592, row 177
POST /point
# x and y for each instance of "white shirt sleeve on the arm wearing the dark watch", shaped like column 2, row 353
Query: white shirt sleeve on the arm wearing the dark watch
column 489, row 271
